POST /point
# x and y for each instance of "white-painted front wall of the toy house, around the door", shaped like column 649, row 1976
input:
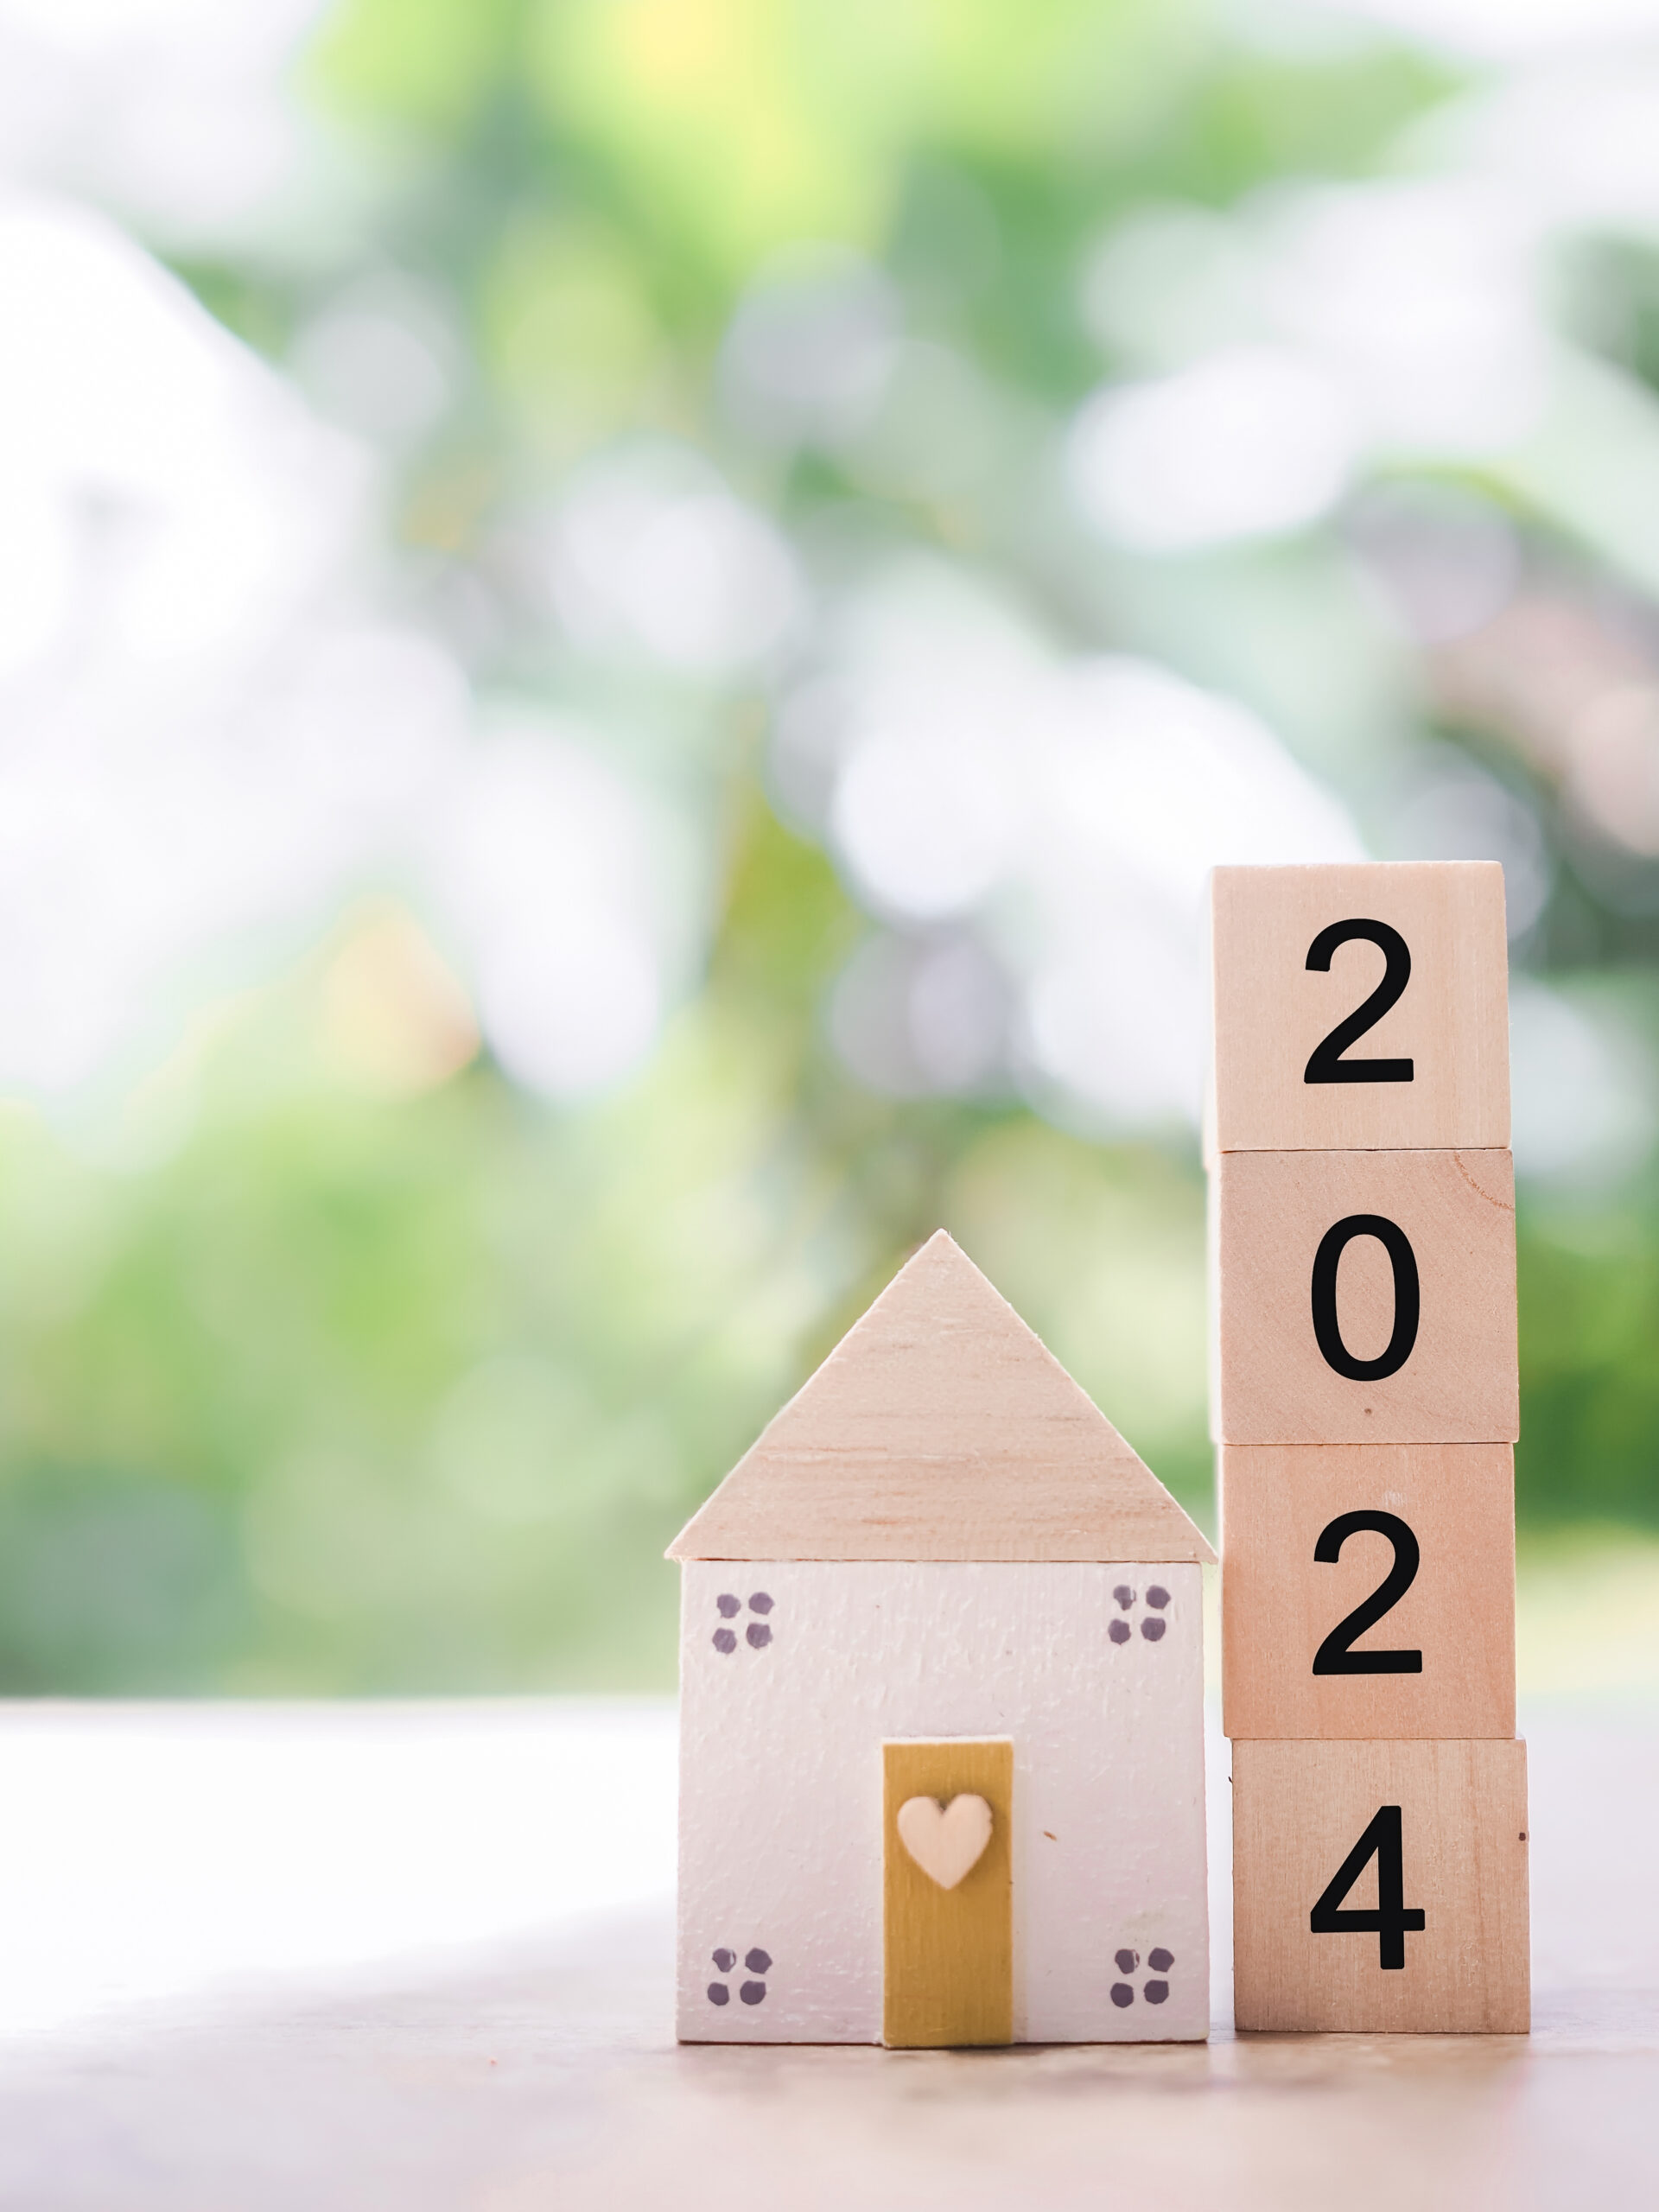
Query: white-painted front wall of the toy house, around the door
column 782, row 1786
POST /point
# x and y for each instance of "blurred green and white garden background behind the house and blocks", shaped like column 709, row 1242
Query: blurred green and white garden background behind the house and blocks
column 627, row 636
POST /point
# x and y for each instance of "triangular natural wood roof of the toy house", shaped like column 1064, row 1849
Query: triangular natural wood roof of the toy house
column 941, row 1428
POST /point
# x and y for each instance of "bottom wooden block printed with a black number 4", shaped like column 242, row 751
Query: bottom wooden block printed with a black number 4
column 1381, row 1888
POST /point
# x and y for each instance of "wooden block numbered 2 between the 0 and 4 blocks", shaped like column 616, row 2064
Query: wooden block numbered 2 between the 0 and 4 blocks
column 1368, row 1592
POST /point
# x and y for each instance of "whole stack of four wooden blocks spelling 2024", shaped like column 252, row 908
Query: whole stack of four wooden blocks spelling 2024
column 1366, row 1410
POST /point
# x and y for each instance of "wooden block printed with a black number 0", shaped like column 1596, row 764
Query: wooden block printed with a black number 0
column 1366, row 1300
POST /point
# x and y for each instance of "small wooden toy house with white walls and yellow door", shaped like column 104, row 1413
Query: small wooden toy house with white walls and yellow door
column 941, row 1707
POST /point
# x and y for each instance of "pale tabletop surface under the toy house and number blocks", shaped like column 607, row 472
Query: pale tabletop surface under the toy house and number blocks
column 419, row 1957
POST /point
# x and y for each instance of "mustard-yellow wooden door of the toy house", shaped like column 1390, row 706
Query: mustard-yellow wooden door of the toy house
column 948, row 1948
